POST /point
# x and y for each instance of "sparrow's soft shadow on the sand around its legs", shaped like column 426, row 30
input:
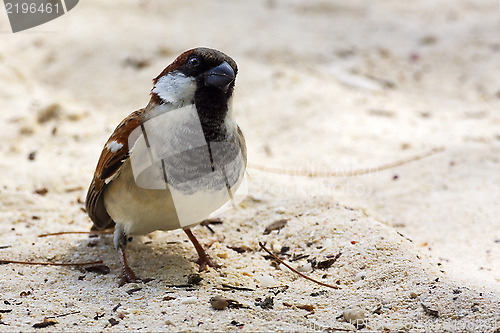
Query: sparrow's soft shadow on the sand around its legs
column 148, row 259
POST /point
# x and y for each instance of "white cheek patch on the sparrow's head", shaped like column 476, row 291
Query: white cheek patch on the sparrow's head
column 175, row 88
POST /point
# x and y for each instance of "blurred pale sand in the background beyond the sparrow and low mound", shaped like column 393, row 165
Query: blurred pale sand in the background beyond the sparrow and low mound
column 323, row 85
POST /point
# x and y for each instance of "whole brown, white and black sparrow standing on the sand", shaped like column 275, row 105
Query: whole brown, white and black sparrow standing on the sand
column 175, row 162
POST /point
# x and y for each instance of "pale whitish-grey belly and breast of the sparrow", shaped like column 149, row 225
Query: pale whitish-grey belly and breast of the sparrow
column 141, row 200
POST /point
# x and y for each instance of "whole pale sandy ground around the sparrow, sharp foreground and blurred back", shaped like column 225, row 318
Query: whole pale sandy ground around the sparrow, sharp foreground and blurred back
column 323, row 85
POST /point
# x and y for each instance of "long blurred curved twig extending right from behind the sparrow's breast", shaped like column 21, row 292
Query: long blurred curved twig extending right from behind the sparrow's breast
column 345, row 173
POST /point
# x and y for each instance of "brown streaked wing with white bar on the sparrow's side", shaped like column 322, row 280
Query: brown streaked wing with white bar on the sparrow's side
column 113, row 155
